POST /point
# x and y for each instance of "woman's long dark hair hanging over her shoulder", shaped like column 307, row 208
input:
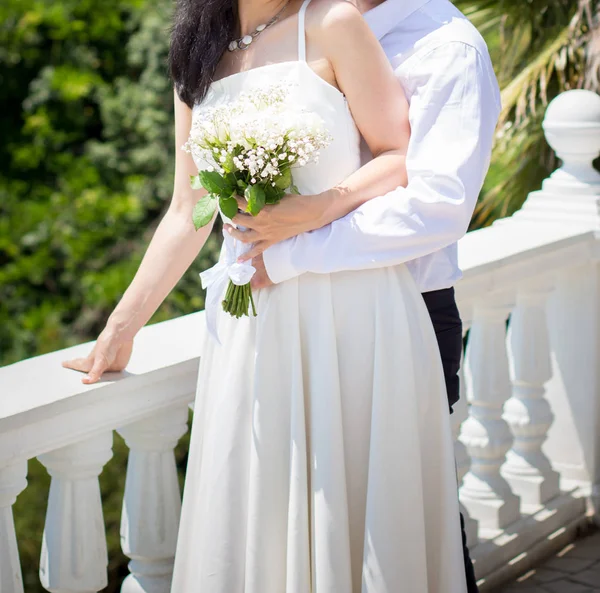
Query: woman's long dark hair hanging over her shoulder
column 202, row 30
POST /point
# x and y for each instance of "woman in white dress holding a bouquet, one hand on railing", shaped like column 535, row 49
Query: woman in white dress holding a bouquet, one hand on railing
column 321, row 458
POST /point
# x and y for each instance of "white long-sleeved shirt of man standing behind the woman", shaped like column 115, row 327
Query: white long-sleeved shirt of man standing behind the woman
column 445, row 69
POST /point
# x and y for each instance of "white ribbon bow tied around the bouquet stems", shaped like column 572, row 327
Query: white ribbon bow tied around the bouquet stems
column 216, row 279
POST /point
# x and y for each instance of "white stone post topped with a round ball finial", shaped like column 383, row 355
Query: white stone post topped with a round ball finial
column 571, row 198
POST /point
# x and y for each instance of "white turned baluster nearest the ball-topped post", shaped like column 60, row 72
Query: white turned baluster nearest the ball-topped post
column 527, row 469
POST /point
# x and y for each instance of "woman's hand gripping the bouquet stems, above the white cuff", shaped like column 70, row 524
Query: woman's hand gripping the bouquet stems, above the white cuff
column 275, row 223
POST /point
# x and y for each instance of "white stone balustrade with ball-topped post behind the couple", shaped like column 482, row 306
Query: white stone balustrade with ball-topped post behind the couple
column 527, row 428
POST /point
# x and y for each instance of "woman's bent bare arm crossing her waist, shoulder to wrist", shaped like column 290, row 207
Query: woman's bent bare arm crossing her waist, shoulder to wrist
column 376, row 100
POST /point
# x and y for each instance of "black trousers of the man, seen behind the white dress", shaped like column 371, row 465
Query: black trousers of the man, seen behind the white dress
column 445, row 317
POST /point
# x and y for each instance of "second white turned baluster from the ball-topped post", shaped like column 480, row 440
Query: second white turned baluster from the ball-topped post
column 485, row 493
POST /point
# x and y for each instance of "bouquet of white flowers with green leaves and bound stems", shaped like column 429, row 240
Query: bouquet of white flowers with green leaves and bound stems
column 250, row 147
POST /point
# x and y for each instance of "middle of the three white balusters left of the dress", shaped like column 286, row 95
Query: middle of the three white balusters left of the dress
column 74, row 557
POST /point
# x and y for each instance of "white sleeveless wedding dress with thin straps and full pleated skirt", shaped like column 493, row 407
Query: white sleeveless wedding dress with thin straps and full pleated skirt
column 321, row 457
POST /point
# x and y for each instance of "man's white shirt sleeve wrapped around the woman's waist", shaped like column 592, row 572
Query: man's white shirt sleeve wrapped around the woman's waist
column 454, row 108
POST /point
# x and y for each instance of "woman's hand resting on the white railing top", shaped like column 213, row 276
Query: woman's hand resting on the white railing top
column 110, row 353
